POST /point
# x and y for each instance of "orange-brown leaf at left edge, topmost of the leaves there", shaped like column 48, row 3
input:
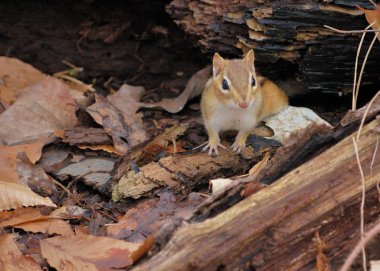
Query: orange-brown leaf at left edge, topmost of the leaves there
column 15, row 76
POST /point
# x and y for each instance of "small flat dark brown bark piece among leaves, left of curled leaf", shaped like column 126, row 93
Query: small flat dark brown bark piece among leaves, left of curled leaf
column 87, row 136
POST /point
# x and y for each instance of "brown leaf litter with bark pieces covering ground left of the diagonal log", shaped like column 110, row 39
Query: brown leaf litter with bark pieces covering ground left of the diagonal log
column 49, row 146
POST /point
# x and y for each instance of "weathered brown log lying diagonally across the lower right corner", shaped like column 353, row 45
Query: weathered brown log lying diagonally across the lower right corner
column 275, row 228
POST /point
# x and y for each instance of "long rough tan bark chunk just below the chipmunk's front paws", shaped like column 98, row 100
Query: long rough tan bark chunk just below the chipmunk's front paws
column 179, row 172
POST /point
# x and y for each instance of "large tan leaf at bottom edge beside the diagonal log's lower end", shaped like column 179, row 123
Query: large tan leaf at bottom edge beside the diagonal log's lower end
column 90, row 253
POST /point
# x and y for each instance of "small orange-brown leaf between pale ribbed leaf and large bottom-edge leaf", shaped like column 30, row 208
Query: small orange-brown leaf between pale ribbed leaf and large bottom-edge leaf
column 47, row 225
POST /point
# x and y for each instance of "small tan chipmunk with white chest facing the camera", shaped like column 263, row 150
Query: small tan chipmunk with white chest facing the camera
column 235, row 98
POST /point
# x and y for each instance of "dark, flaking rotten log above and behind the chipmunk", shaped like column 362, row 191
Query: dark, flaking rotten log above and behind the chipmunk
column 289, row 37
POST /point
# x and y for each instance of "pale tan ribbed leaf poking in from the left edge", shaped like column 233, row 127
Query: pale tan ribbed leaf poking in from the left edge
column 14, row 195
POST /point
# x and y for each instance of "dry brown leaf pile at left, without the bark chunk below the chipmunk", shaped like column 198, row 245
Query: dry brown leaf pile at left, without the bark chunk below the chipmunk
column 55, row 167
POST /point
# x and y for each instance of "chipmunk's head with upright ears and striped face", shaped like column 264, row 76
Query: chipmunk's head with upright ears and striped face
column 235, row 80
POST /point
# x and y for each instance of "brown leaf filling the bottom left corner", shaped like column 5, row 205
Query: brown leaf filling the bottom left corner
column 11, row 258
